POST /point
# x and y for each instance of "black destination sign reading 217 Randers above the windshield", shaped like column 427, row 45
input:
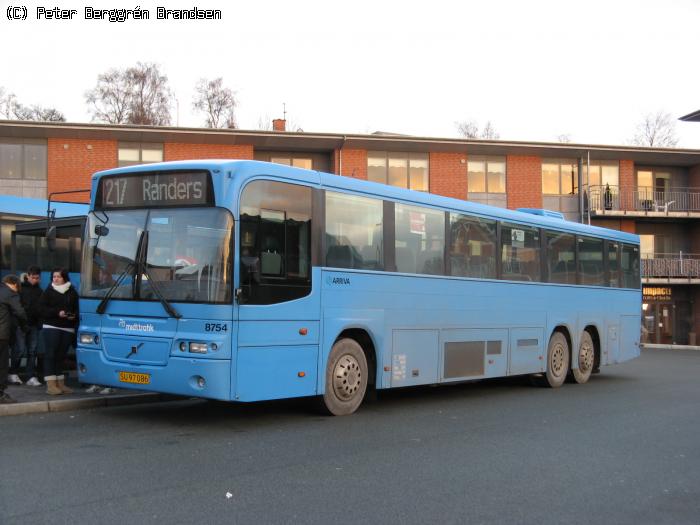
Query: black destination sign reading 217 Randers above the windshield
column 155, row 189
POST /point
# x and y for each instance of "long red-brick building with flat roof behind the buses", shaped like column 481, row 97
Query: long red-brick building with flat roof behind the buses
column 653, row 192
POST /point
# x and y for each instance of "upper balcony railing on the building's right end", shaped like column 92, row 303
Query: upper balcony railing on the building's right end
column 644, row 199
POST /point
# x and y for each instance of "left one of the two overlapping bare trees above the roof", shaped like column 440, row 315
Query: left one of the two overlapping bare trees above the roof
column 110, row 98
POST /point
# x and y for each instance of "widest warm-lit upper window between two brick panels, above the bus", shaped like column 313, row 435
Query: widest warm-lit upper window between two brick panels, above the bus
column 405, row 170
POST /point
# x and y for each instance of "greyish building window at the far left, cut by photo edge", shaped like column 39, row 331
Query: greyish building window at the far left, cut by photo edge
column 23, row 159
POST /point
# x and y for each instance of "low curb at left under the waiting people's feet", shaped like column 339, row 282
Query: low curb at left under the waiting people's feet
column 63, row 405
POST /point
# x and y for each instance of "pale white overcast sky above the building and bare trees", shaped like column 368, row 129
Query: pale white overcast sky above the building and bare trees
column 536, row 70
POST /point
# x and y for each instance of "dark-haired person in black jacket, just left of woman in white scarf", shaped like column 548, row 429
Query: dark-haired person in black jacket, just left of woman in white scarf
column 26, row 343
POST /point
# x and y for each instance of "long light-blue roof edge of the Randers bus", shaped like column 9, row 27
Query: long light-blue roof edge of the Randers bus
column 373, row 189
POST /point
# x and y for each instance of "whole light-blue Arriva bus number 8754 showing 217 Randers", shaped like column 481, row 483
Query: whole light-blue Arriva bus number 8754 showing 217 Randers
column 248, row 281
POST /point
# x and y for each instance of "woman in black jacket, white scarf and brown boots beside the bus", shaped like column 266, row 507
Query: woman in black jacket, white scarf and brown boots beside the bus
column 58, row 308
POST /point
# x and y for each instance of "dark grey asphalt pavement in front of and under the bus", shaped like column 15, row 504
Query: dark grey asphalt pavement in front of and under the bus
column 621, row 449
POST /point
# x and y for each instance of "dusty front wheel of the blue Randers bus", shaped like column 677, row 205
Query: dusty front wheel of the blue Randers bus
column 346, row 378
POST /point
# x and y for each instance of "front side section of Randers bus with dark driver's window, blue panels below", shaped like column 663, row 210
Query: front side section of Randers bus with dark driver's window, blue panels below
column 277, row 294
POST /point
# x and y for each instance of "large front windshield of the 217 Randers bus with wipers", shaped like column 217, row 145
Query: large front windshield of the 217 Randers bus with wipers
column 188, row 255
